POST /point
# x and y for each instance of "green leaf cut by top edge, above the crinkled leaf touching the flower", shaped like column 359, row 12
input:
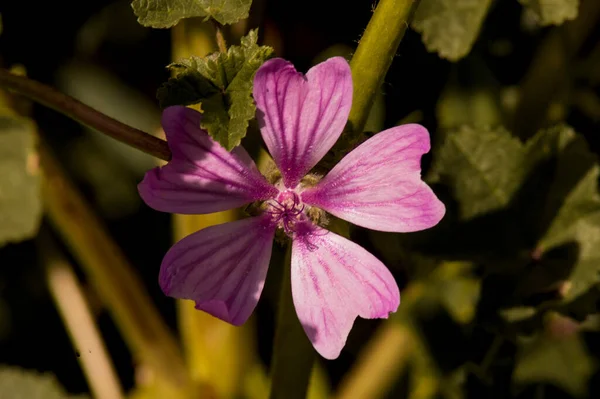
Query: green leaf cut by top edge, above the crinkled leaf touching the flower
column 166, row 13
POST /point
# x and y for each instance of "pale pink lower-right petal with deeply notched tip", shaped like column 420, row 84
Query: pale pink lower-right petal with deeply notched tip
column 333, row 281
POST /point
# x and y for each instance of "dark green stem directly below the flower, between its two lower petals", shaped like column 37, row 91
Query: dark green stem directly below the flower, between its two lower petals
column 293, row 355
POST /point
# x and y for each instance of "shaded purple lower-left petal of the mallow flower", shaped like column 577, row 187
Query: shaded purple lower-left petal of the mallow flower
column 222, row 268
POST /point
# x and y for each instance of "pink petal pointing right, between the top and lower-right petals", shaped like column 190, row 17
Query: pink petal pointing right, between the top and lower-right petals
column 378, row 185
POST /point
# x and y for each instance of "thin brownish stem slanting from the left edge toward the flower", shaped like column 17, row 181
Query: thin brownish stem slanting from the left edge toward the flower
column 85, row 115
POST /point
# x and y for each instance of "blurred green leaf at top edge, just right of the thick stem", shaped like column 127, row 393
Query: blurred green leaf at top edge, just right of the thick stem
column 450, row 27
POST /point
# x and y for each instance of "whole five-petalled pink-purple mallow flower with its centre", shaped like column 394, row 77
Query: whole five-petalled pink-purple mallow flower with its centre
column 377, row 185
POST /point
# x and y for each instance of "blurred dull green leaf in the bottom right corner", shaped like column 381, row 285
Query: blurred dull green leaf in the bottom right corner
column 561, row 361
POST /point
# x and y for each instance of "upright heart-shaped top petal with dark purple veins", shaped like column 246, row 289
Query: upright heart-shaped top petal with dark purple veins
column 301, row 117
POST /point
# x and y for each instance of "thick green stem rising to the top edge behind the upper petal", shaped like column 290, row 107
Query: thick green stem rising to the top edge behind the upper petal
column 374, row 55
